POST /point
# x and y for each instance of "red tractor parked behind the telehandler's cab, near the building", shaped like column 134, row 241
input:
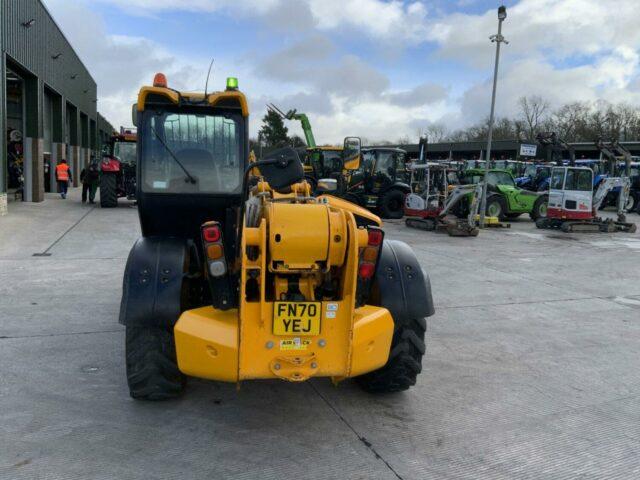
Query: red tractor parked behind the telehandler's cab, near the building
column 118, row 168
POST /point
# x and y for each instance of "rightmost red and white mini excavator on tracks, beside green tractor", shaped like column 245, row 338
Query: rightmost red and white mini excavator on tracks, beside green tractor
column 574, row 201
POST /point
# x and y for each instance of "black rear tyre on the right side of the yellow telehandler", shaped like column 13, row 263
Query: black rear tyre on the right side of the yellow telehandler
column 405, row 359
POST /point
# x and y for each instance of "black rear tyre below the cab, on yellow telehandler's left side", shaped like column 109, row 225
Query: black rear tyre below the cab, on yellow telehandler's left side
column 152, row 369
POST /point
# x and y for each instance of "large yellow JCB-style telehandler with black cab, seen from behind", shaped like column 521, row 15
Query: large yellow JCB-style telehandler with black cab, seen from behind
column 241, row 274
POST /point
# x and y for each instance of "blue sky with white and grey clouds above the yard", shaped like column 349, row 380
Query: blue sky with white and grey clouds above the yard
column 375, row 68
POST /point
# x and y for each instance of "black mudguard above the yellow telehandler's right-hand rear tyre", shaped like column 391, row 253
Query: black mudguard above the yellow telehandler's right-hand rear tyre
column 401, row 286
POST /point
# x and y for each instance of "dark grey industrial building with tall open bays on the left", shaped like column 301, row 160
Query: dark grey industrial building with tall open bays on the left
column 48, row 103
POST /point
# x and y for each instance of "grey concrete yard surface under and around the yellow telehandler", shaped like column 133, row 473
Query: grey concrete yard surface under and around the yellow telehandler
column 532, row 368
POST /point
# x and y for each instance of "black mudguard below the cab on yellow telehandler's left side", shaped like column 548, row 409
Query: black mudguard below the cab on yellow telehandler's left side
column 153, row 281
